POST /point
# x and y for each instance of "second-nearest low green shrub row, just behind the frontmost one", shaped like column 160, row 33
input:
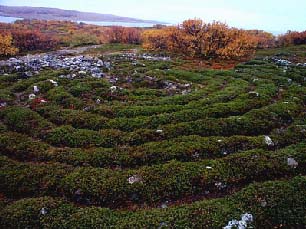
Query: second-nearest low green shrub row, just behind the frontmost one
column 150, row 184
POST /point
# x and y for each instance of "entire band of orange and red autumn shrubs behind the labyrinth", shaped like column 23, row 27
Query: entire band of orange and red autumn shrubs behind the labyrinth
column 193, row 38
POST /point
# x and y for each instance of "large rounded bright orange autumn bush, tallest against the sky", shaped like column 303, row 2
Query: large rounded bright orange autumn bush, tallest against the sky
column 205, row 40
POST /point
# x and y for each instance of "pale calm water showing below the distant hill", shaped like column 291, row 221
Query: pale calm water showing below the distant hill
column 102, row 23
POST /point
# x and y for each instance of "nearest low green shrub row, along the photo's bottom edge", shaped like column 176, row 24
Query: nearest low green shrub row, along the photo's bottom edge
column 272, row 204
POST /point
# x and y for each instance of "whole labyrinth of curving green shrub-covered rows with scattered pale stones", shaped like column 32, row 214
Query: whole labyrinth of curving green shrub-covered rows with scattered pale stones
column 133, row 141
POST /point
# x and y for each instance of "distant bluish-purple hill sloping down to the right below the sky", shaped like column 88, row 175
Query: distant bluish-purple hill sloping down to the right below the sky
column 44, row 13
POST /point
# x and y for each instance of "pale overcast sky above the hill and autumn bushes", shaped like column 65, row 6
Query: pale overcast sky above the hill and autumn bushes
column 270, row 15
